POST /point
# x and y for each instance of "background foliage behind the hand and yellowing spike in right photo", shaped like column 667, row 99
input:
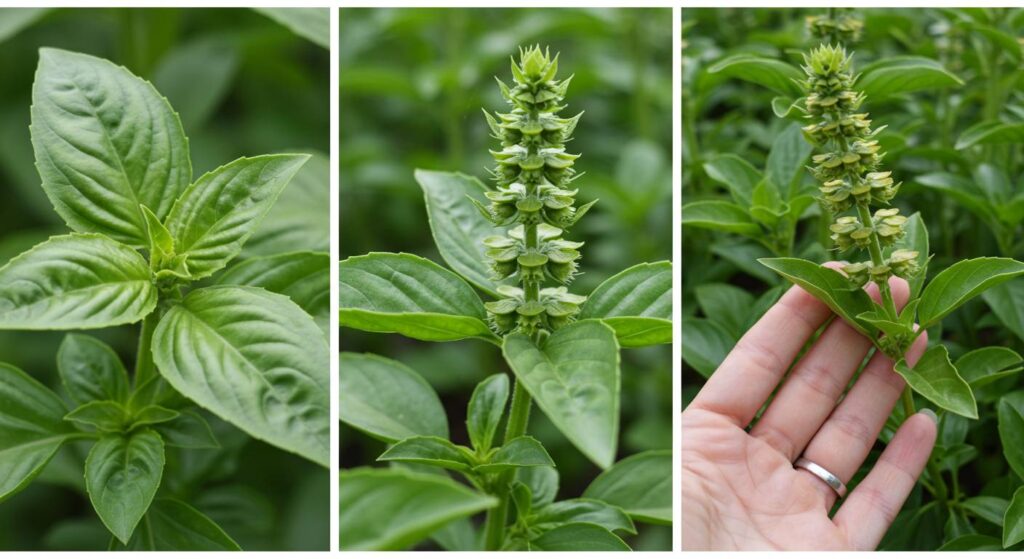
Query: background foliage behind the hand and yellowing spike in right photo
column 966, row 186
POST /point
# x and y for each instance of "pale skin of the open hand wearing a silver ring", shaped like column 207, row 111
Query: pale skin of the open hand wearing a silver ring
column 741, row 491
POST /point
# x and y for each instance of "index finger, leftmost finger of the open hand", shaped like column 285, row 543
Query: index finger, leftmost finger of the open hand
column 752, row 371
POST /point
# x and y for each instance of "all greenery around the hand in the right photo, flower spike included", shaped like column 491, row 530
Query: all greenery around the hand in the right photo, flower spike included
column 888, row 140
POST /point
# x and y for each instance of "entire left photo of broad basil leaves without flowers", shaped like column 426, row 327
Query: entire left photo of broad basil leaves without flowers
column 211, row 276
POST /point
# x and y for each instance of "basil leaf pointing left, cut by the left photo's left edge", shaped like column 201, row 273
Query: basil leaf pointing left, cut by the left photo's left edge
column 75, row 282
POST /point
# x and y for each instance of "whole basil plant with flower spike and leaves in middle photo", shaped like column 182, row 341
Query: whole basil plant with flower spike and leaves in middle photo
column 513, row 265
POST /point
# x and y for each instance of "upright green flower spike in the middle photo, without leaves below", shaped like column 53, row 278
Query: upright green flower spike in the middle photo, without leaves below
column 533, row 198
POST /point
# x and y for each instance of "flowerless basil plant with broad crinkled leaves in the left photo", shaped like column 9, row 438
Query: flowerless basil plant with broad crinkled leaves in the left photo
column 150, row 245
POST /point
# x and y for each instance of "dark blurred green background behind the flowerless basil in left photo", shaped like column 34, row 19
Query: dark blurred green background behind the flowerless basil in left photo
column 244, row 84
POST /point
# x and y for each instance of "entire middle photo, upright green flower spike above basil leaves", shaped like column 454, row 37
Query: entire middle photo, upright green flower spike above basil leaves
column 544, row 420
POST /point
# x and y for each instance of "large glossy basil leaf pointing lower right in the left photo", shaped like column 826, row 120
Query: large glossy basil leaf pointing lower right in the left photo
column 255, row 360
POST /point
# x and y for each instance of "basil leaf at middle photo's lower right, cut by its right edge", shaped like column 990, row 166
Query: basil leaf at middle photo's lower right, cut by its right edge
column 641, row 485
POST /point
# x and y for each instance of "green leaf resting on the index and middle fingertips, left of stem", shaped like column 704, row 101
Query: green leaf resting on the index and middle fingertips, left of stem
column 829, row 286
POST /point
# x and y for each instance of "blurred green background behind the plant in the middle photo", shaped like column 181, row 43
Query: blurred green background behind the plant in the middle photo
column 413, row 83
